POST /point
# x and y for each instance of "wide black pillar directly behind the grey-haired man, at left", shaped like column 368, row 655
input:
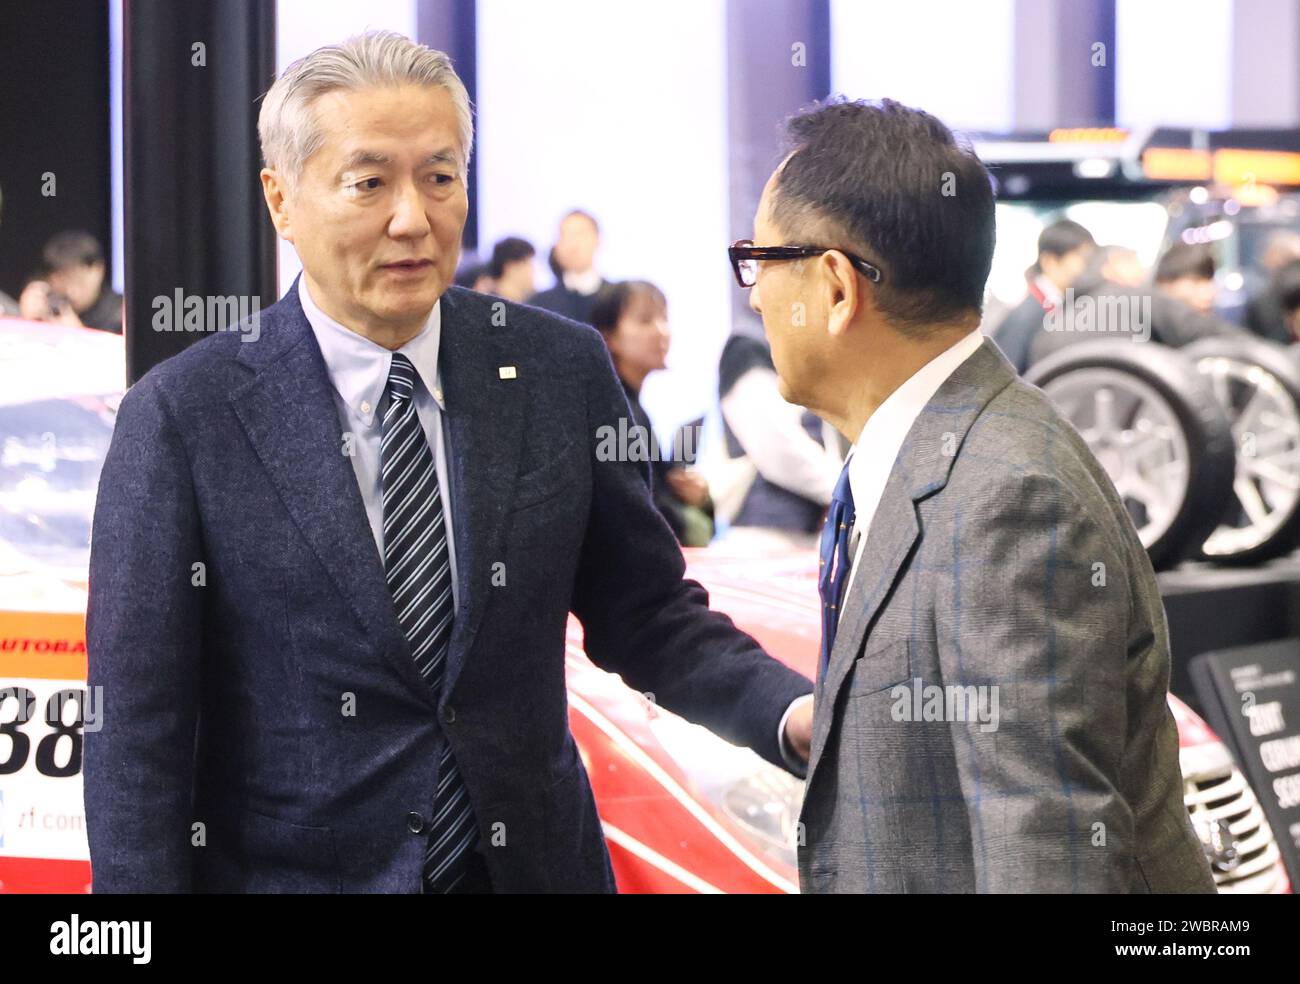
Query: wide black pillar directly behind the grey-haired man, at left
column 194, row 215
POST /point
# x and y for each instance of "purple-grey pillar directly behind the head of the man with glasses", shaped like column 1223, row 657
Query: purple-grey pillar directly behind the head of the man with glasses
column 778, row 62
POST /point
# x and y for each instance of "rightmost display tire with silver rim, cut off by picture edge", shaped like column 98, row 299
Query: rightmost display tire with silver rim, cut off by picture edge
column 1258, row 384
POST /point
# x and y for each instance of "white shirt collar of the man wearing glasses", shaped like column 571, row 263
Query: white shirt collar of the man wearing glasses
column 882, row 437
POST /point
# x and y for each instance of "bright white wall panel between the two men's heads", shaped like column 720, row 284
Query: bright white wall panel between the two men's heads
column 617, row 109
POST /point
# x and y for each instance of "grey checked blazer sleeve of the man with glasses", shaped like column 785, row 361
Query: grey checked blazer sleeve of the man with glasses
column 1041, row 615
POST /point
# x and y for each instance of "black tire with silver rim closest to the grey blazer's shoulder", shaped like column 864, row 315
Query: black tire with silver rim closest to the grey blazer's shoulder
column 1136, row 402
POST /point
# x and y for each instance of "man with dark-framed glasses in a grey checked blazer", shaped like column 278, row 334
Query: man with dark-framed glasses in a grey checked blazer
column 991, row 703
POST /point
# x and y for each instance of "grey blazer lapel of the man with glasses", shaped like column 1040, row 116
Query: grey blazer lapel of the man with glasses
column 922, row 469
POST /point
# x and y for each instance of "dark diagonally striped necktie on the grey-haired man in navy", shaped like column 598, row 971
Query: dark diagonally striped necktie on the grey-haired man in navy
column 419, row 573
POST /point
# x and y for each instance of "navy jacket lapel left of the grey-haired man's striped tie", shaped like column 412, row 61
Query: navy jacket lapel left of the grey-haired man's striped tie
column 289, row 414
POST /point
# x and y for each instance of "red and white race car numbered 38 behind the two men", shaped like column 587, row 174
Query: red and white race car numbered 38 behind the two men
column 683, row 810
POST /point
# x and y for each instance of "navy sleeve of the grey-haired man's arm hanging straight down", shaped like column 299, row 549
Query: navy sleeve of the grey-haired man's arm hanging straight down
column 144, row 632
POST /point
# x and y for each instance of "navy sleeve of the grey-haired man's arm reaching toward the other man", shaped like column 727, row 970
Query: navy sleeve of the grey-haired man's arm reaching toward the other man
column 645, row 621
